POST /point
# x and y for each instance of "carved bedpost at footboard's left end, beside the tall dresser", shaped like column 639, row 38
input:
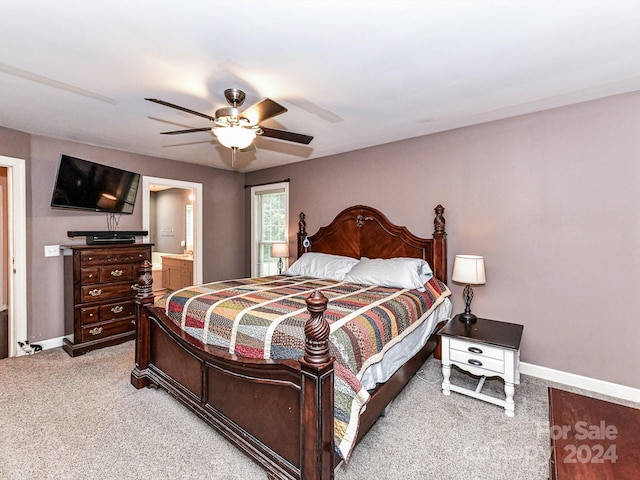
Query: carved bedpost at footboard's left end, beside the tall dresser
column 143, row 297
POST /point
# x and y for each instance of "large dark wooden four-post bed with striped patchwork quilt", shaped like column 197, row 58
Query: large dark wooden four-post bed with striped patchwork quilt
column 281, row 411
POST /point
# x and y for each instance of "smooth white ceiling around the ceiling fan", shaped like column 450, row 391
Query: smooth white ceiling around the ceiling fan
column 353, row 74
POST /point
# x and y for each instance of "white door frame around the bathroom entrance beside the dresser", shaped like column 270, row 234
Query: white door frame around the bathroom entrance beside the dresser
column 197, row 215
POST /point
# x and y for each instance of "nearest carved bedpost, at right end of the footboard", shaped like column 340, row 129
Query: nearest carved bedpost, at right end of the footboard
column 316, row 422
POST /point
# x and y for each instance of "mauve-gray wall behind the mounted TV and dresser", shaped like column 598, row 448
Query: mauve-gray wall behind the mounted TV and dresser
column 223, row 229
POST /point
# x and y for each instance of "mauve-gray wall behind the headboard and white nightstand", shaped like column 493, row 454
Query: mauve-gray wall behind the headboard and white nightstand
column 550, row 199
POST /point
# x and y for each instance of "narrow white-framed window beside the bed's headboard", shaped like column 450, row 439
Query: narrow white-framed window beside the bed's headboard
column 269, row 224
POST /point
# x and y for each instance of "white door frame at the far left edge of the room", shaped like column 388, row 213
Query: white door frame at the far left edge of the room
column 17, row 261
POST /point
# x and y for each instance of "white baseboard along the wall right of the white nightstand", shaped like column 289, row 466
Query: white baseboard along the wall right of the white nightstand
column 579, row 381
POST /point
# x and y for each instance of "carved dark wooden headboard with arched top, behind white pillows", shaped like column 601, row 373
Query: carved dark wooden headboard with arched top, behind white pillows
column 362, row 231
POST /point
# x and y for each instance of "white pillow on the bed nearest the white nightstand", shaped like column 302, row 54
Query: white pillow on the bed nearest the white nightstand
column 410, row 273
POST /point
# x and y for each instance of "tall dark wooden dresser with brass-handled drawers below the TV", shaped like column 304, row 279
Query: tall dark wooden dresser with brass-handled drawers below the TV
column 100, row 286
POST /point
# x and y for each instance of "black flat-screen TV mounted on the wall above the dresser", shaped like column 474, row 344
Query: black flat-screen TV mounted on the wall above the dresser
column 85, row 185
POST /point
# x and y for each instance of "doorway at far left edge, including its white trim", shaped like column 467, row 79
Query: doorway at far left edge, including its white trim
column 14, row 255
